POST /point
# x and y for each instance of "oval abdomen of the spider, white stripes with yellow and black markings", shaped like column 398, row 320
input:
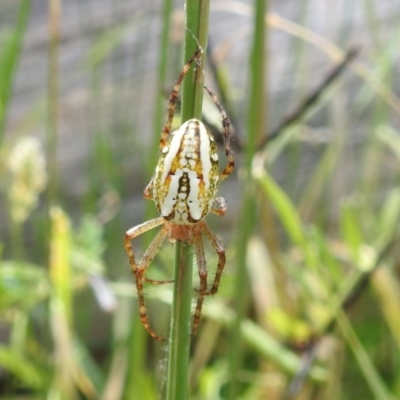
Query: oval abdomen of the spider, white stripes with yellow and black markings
column 186, row 179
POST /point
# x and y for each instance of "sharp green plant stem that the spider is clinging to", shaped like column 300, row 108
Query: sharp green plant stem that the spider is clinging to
column 197, row 15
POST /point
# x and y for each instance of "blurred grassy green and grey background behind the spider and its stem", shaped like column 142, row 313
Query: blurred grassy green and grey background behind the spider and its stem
column 312, row 258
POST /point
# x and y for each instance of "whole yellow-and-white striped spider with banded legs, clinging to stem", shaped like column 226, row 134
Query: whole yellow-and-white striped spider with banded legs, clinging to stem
column 184, row 188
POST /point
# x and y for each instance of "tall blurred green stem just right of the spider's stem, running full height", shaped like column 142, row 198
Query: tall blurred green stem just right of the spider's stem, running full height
column 256, row 122
